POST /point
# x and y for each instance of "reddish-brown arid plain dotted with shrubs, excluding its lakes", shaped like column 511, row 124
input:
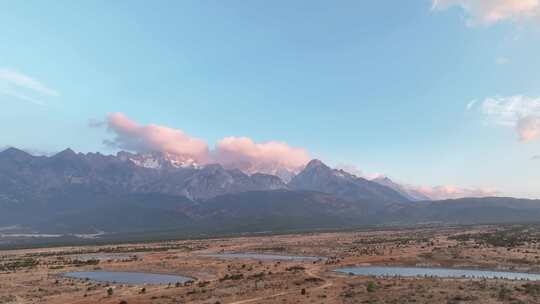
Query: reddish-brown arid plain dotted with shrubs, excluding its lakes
column 35, row 275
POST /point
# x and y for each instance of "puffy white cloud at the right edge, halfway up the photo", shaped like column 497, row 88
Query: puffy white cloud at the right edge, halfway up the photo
column 519, row 112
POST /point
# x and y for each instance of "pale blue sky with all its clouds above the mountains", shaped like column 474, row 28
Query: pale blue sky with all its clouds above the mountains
column 439, row 94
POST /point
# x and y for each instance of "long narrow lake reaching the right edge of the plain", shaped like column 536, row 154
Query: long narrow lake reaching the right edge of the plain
column 388, row 271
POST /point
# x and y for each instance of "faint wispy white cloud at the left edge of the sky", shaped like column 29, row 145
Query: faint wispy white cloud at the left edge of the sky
column 24, row 87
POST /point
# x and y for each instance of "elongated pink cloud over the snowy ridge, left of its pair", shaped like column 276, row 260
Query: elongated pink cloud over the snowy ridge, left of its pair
column 152, row 138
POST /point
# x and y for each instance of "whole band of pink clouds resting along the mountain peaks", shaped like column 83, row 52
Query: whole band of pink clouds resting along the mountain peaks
column 232, row 152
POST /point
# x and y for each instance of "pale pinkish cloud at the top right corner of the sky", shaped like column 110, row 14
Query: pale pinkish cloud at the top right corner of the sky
column 488, row 12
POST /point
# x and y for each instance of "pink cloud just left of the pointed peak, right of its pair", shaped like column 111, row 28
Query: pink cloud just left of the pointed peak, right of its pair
column 246, row 155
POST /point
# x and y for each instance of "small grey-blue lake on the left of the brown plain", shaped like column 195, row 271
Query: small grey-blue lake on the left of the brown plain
column 127, row 277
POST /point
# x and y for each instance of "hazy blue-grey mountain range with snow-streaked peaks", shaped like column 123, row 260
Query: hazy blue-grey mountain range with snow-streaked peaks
column 73, row 192
